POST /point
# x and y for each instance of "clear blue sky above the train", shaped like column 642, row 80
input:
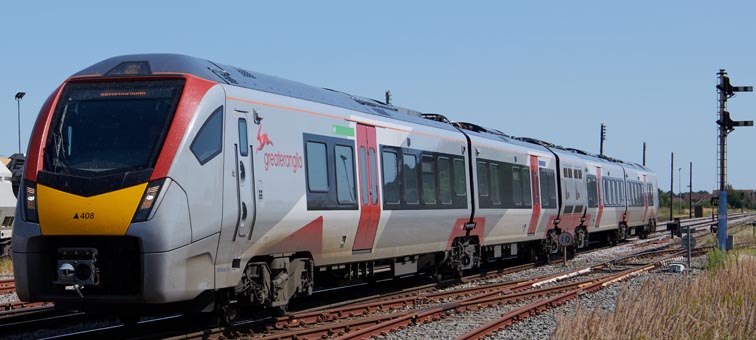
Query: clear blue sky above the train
column 552, row 70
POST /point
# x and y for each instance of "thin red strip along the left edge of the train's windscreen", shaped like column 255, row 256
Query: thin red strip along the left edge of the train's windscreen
column 39, row 136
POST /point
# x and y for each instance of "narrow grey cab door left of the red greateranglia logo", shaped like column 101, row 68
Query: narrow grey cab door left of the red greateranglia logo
column 244, row 176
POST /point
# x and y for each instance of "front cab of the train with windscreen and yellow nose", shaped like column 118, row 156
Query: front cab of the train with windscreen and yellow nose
column 104, row 218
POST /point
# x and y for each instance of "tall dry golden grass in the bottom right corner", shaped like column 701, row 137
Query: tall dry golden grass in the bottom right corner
column 720, row 304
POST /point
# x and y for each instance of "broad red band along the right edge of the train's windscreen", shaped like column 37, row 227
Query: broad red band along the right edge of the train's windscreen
column 194, row 90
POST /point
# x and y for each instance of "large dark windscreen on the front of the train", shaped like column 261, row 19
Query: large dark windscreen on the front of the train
column 111, row 127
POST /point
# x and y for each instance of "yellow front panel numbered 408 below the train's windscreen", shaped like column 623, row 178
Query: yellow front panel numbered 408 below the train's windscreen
column 61, row 213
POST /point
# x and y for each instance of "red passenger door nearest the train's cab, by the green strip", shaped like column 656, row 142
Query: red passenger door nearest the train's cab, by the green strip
column 370, row 209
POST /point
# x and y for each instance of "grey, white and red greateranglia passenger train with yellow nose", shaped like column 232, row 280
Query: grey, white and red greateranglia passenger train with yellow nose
column 167, row 182
